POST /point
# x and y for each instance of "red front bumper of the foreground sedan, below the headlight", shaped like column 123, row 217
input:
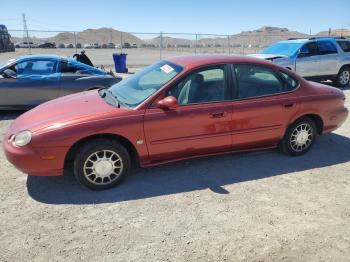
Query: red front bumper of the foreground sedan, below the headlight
column 30, row 160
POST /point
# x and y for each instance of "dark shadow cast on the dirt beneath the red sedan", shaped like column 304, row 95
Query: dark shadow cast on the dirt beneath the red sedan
column 210, row 172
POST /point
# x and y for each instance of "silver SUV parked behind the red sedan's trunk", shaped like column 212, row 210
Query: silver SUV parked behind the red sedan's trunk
column 316, row 58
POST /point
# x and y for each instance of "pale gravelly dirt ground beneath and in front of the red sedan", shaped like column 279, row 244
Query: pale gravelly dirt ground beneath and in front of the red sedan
column 261, row 206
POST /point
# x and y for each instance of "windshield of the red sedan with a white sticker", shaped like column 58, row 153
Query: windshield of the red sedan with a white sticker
column 137, row 88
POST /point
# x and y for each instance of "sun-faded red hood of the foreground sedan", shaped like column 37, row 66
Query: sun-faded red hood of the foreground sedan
column 68, row 110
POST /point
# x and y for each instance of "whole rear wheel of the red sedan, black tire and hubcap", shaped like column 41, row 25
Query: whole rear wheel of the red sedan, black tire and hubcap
column 295, row 141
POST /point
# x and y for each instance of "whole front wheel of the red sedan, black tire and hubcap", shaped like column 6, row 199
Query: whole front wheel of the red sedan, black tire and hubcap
column 101, row 164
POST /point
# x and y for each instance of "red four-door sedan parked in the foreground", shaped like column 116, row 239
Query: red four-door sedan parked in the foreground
column 176, row 109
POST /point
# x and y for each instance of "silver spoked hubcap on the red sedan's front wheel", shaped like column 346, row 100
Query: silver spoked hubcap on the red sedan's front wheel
column 103, row 167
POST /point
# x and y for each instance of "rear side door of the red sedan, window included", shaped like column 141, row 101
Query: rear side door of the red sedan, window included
column 263, row 105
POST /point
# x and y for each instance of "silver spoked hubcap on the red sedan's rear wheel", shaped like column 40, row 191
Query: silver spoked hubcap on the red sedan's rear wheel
column 301, row 137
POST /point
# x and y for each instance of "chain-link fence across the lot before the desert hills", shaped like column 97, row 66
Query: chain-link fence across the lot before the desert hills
column 142, row 49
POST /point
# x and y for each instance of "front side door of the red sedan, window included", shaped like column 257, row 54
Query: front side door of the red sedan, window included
column 200, row 124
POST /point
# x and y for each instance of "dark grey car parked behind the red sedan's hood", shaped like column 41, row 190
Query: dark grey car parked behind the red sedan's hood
column 32, row 80
